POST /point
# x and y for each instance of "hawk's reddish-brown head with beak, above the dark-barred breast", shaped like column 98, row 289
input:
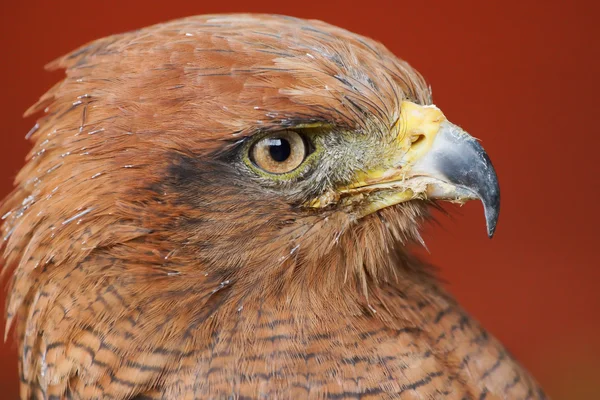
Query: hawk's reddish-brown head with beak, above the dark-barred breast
column 249, row 149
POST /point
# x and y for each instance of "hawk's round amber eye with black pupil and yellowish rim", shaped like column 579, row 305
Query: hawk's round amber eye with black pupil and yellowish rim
column 279, row 153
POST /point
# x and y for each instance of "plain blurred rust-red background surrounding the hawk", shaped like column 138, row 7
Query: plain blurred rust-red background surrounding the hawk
column 520, row 75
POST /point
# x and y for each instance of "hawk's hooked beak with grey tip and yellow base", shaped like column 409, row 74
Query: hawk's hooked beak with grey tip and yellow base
column 431, row 159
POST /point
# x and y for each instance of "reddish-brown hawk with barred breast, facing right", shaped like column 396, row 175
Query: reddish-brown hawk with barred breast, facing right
column 221, row 207
